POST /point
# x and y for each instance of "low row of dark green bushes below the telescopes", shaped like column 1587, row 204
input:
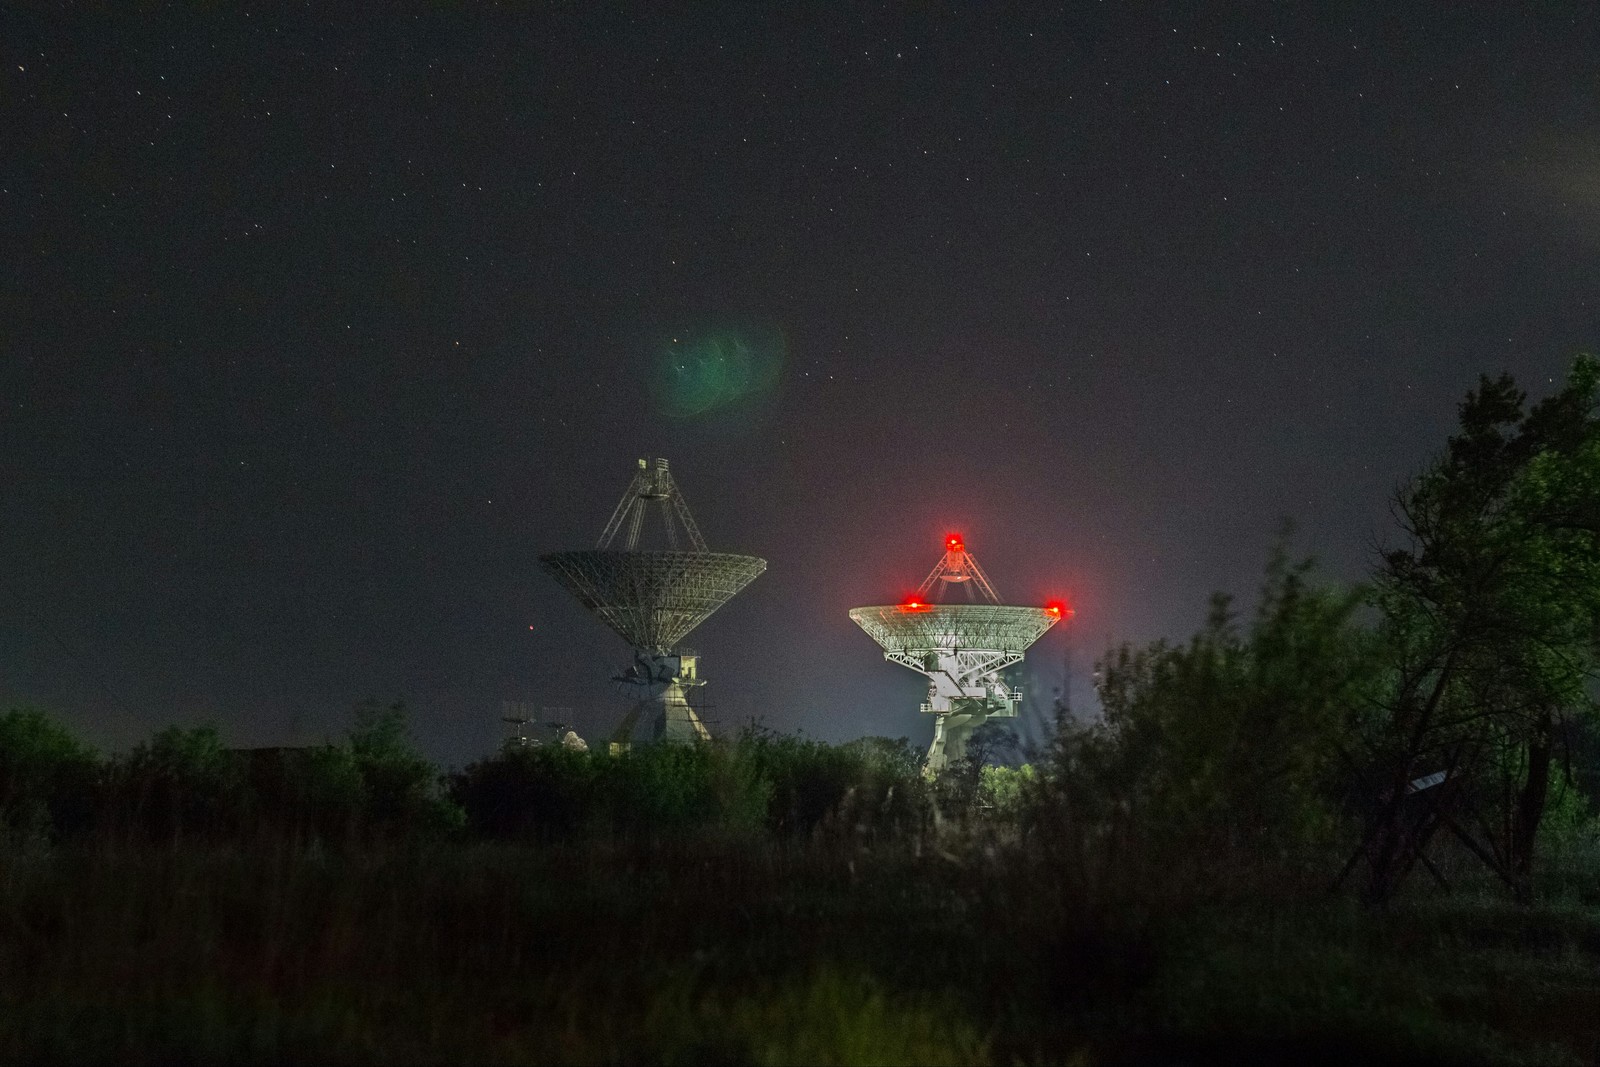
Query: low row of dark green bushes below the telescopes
column 183, row 786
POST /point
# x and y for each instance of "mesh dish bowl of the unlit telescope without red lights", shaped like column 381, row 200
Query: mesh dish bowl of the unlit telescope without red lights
column 654, row 599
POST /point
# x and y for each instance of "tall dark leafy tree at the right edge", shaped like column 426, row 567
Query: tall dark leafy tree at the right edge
column 1490, row 613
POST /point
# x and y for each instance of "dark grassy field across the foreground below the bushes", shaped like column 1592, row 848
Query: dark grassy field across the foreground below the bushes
column 751, row 953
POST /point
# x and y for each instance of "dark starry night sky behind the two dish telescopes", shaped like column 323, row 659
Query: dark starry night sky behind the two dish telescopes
column 316, row 332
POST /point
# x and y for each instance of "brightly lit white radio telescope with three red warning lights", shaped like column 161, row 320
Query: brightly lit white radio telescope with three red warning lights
column 961, row 647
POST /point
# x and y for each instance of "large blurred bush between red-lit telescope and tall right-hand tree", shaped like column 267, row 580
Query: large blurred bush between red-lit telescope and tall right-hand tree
column 1220, row 757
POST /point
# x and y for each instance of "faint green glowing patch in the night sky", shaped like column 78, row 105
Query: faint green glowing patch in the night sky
column 698, row 375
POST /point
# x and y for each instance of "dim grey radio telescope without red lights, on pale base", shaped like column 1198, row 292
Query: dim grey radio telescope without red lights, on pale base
column 655, row 599
